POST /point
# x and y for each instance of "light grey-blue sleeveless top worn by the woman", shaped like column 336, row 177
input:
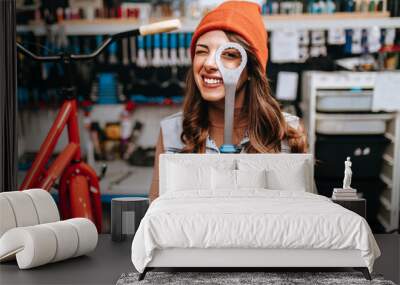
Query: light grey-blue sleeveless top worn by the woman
column 171, row 128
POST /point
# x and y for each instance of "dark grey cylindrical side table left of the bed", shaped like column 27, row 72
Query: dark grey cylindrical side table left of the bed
column 126, row 214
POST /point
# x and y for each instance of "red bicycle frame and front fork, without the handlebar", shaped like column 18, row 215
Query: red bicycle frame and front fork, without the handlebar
column 79, row 191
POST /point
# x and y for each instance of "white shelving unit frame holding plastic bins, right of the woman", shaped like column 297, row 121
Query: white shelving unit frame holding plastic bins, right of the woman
column 315, row 81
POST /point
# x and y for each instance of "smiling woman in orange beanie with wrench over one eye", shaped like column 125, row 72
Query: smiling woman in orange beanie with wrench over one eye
column 259, row 124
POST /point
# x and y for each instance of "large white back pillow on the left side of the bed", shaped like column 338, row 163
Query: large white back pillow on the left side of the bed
column 188, row 177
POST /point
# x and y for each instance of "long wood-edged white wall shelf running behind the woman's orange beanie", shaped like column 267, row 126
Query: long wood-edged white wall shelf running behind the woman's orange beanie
column 272, row 23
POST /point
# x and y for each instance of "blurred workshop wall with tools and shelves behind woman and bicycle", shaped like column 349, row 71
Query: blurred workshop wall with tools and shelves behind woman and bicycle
column 334, row 63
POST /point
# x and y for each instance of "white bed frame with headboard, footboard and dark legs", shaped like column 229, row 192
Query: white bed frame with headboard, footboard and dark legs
column 247, row 258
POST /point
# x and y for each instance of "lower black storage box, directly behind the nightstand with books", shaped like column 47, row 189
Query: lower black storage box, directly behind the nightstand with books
column 370, row 189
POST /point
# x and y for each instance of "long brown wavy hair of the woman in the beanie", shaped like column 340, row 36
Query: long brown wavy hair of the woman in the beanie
column 267, row 126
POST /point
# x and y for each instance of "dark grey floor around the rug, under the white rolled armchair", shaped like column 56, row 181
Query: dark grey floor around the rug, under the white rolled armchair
column 110, row 260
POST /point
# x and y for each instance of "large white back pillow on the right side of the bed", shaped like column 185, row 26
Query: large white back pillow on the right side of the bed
column 292, row 179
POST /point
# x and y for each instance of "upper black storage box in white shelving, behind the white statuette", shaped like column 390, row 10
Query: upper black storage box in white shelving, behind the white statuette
column 365, row 152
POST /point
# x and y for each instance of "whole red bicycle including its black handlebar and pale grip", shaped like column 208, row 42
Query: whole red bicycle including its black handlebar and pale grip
column 79, row 185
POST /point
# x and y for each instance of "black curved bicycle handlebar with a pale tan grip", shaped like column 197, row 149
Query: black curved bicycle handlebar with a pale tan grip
column 158, row 27
